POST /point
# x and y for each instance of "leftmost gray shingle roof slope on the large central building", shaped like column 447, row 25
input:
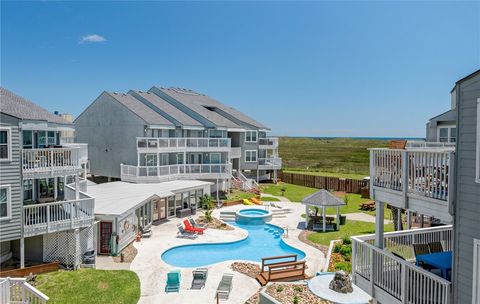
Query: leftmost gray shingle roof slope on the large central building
column 137, row 107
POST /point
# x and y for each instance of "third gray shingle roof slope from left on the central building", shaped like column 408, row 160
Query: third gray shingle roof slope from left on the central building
column 197, row 103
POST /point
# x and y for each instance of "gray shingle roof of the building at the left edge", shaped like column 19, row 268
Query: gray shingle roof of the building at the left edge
column 17, row 106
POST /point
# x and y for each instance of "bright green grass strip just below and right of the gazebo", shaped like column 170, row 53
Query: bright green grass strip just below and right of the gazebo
column 351, row 228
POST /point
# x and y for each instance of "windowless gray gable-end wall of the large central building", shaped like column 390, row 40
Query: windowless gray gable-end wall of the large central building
column 110, row 129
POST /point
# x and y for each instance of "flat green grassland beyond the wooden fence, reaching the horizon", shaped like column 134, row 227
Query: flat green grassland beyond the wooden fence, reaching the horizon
column 334, row 155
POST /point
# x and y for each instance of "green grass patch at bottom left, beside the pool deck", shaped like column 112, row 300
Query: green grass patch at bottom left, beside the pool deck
column 90, row 286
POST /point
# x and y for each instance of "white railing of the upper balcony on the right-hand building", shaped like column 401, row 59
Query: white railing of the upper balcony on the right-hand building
column 423, row 172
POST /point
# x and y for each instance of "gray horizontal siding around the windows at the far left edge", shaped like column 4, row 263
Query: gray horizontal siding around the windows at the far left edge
column 10, row 174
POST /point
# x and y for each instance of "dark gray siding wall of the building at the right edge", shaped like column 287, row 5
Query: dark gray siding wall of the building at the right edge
column 467, row 202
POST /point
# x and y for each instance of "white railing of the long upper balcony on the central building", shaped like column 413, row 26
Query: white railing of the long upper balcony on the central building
column 183, row 144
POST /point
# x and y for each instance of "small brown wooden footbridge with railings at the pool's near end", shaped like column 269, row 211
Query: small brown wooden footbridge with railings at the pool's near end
column 286, row 268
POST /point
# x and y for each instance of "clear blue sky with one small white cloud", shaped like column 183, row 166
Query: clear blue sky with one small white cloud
column 304, row 69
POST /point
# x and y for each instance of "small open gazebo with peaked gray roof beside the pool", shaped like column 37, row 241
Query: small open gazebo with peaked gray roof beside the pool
column 322, row 199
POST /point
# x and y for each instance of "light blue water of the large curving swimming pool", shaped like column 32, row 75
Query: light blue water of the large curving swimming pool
column 262, row 241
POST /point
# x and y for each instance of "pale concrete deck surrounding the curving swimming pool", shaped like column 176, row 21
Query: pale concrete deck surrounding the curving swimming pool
column 152, row 271
